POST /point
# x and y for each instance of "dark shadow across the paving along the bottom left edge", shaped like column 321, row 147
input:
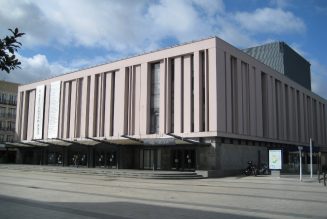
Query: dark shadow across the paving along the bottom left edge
column 113, row 210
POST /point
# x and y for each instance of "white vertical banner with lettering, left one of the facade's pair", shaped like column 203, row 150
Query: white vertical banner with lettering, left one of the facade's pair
column 39, row 111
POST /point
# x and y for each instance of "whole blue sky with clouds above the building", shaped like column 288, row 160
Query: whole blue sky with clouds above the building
column 66, row 35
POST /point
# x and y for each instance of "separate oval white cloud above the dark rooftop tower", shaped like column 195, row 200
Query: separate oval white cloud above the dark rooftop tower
column 270, row 20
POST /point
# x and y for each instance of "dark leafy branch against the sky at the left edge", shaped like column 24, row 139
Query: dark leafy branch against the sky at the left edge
column 8, row 46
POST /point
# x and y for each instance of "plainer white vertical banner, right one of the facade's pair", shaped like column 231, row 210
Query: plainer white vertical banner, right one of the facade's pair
column 54, row 109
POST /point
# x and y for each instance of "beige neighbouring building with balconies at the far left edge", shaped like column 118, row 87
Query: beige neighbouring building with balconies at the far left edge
column 8, row 102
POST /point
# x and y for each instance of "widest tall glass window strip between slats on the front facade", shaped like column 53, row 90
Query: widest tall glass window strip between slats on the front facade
column 155, row 98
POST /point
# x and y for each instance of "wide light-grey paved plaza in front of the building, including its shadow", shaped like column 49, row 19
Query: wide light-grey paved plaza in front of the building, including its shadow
column 36, row 194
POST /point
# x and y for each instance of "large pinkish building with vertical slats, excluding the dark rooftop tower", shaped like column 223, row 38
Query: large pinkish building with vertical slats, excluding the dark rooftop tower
column 204, row 105
